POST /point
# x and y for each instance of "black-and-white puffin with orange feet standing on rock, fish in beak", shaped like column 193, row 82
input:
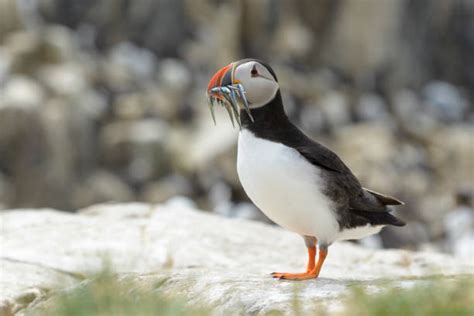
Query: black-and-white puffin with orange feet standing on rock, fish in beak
column 298, row 183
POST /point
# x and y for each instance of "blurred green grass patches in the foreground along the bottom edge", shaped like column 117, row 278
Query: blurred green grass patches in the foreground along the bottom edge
column 106, row 295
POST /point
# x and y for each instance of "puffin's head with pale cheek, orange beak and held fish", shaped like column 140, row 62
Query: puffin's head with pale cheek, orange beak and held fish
column 245, row 84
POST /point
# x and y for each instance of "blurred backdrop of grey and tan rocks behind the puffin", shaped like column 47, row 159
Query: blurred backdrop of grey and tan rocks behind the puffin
column 104, row 100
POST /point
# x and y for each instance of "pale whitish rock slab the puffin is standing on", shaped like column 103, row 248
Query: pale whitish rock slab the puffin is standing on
column 205, row 258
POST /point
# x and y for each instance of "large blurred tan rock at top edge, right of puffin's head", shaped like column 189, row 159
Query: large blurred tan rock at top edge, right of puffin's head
column 378, row 21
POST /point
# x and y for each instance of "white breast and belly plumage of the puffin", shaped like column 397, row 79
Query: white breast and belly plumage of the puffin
column 285, row 187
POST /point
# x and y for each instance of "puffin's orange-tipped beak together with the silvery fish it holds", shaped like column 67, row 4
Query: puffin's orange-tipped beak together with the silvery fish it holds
column 227, row 92
